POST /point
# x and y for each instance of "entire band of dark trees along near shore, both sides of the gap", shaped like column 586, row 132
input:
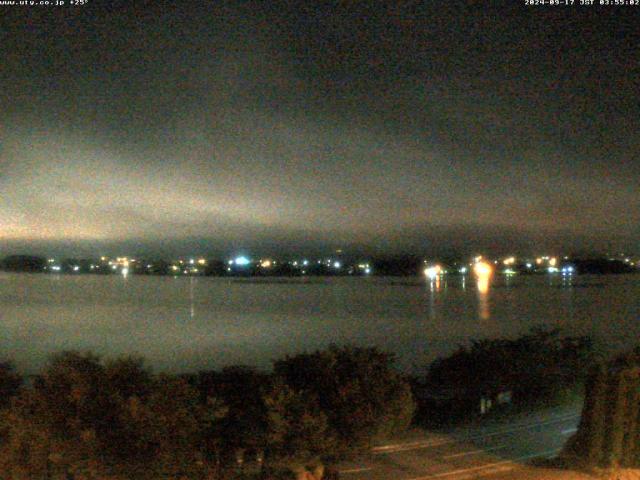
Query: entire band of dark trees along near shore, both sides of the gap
column 88, row 418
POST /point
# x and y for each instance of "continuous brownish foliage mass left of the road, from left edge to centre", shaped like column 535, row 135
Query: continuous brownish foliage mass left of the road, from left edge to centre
column 88, row 418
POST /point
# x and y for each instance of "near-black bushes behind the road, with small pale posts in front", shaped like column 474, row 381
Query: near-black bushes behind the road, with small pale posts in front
column 537, row 369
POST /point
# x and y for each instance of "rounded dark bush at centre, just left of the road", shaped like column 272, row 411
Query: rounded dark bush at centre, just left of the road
column 363, row 398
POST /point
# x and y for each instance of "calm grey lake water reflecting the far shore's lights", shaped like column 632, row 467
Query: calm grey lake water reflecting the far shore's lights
column 185, row 324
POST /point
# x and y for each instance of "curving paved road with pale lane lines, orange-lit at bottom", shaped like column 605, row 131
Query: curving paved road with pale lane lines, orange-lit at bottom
column 484, row 450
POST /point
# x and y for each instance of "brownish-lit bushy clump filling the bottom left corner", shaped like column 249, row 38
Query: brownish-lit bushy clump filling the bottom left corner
column 86, row 418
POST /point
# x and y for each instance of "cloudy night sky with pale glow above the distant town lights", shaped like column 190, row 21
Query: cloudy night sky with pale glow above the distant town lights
column 284, row 127
